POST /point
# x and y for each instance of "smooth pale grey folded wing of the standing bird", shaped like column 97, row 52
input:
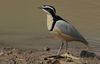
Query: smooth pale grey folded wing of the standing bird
column 68, row 29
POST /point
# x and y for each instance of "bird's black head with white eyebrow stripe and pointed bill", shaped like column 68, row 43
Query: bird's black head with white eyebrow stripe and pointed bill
column 48, row 9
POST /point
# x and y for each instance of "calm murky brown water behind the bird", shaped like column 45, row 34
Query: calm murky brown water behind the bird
column 23, row 25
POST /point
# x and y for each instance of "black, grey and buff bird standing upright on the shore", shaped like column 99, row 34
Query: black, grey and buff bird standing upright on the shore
column 60, row 28
